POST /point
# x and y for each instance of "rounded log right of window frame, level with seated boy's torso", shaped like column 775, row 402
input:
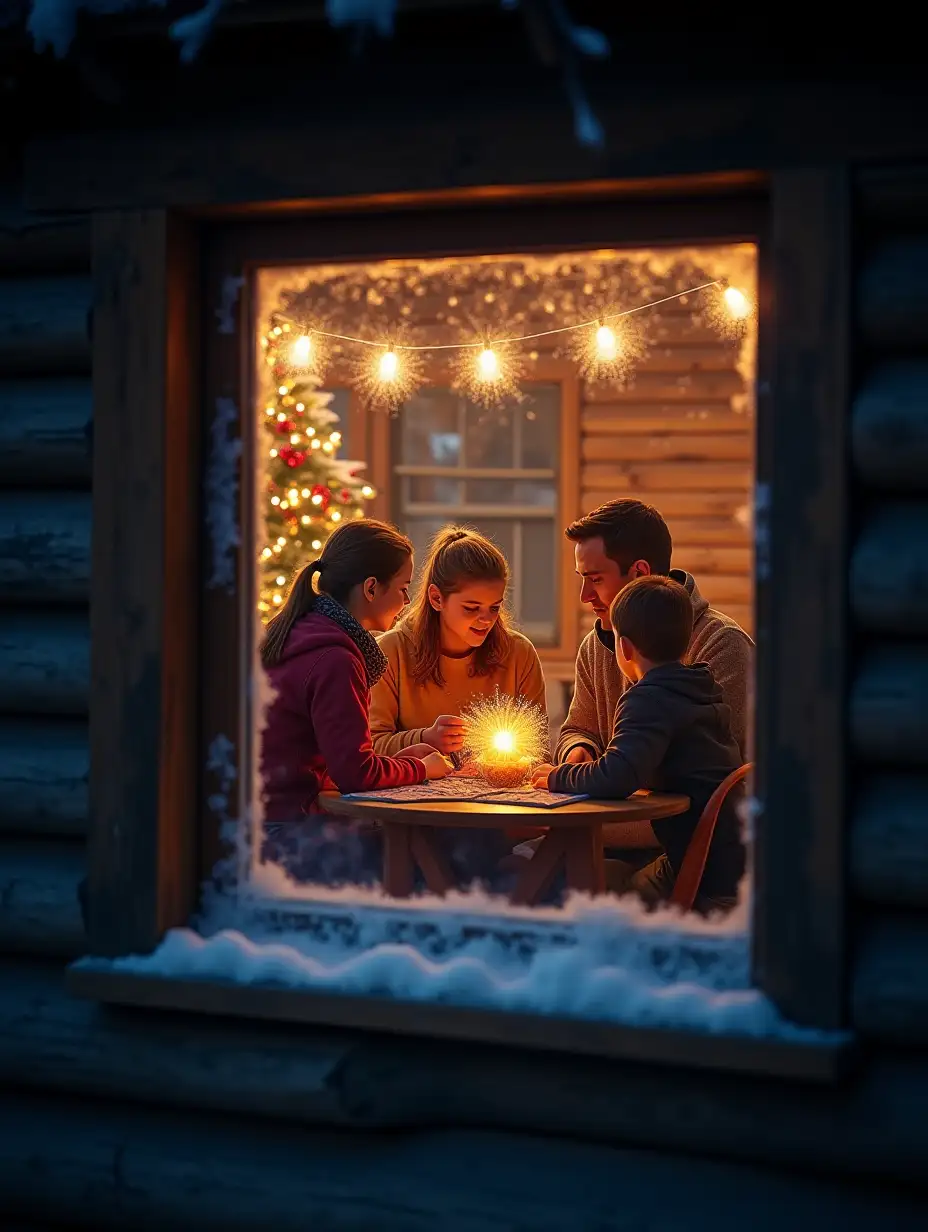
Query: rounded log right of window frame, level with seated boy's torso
column 889, row 707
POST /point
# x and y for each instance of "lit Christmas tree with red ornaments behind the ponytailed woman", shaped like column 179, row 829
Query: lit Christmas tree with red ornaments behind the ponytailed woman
column 307, row 490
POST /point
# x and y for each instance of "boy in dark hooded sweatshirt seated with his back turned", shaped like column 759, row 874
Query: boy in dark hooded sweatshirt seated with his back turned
column 672, row 734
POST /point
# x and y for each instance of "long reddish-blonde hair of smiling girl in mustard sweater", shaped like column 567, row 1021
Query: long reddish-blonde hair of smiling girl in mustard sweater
column 458, row 556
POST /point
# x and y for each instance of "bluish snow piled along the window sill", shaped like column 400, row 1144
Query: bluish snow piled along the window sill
column 603, row 960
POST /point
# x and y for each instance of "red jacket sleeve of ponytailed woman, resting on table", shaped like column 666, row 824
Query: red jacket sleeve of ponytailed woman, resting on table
column 340, row 708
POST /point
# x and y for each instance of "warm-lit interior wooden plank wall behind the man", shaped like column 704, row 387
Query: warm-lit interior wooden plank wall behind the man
column 682, row 438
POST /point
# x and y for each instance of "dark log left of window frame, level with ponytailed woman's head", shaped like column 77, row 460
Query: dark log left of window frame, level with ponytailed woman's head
column 45, row 548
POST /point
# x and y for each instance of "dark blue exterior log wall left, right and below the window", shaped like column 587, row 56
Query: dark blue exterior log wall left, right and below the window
column 56, row 1049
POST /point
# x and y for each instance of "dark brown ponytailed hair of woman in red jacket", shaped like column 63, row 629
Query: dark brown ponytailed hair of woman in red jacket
column 358, row 550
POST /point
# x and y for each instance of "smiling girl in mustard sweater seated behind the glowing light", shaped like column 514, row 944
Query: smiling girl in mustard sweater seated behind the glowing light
column 454, row 645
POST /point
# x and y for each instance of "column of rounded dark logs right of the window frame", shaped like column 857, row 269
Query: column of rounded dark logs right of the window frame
column 889, row 599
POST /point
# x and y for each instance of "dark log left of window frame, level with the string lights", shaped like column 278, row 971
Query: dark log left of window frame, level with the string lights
column 45, row 326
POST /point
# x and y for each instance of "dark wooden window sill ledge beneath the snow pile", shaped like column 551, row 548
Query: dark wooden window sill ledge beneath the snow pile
column 815, row 1063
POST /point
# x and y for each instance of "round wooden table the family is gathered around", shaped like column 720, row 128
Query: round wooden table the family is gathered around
column 572, row 837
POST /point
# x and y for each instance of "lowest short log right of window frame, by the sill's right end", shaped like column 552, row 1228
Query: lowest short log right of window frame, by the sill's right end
column 890, row 987
